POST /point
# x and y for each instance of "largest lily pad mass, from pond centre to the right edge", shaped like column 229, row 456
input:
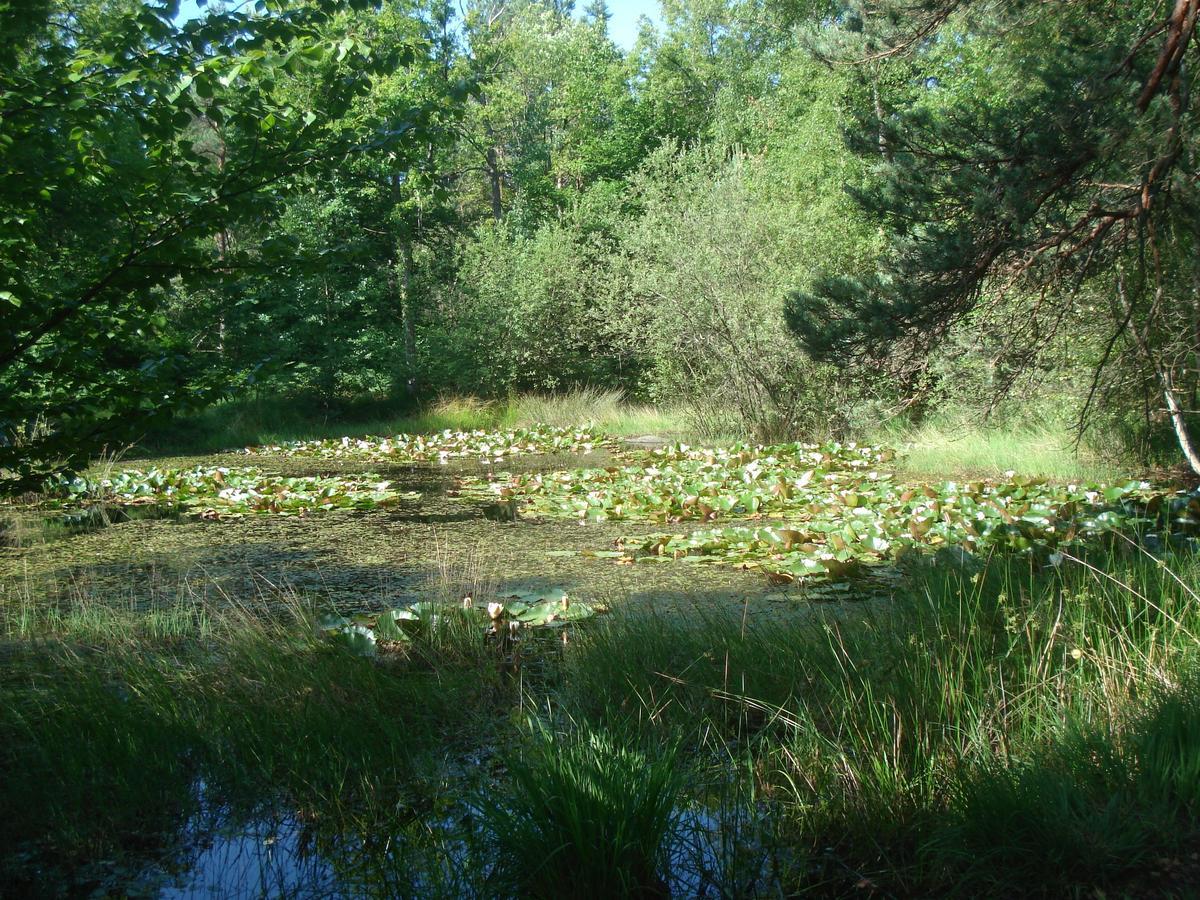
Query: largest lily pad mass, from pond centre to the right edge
column 838, row 512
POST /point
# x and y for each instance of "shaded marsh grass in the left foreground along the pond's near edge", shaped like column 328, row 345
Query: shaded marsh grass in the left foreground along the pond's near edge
column 113, row 712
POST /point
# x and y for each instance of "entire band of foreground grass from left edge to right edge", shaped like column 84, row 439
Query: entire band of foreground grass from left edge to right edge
column 1015, row 731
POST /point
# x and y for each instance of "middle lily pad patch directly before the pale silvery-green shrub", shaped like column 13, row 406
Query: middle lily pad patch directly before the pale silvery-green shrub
column 680, row 483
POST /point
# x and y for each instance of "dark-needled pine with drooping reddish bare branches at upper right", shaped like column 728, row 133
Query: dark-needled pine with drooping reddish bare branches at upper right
column 1028, row 176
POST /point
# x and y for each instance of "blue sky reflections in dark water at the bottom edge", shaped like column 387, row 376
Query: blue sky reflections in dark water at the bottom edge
column 279, row 855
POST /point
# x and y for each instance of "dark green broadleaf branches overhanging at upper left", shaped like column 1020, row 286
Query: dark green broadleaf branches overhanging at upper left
column 109, row 193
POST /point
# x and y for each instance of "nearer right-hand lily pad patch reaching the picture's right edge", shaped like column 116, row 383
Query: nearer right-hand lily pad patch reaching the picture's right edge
column 838, row 535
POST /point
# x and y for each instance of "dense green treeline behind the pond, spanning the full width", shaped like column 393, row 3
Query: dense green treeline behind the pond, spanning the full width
column 794, row 218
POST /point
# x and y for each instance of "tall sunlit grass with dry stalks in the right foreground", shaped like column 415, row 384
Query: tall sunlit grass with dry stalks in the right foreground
column 892, row 740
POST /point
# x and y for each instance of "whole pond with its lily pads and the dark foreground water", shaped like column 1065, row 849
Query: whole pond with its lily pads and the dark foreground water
column 746, row 536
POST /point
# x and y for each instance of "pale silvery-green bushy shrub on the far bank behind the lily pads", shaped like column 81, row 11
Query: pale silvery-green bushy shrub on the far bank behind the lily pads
column 706, row 310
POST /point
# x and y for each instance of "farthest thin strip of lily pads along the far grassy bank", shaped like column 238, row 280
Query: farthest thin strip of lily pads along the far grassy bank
column 487, row 446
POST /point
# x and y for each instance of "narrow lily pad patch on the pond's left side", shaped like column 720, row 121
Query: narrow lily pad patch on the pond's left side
column 221, row 493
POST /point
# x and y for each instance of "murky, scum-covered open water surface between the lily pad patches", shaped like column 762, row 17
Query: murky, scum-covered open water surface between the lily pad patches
column 374, row 559
